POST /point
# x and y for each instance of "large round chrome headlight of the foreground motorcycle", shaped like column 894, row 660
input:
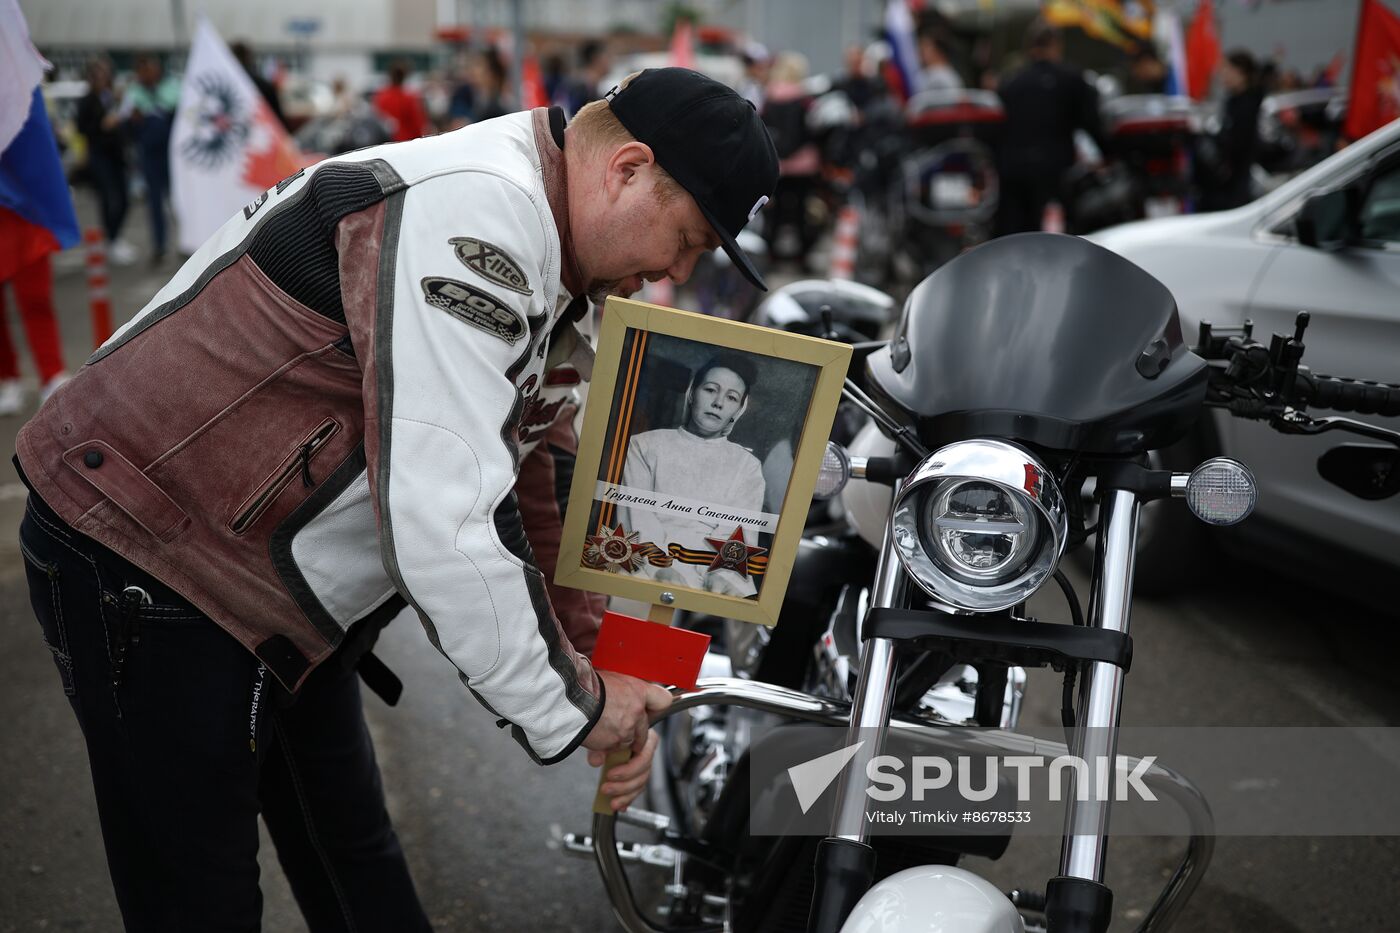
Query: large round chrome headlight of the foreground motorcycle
column 981, row 526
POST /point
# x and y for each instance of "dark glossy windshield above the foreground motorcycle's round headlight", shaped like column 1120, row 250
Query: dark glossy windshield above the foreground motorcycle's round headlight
column 1048, row 340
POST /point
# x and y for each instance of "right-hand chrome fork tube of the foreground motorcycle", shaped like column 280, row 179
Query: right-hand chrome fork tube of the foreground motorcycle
column 1101, row 694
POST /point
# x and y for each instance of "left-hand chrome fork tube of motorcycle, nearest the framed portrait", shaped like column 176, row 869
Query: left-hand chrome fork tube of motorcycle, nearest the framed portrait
column 874, row 700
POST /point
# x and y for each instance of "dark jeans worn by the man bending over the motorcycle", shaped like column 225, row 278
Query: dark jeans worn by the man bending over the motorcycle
column 188, row 742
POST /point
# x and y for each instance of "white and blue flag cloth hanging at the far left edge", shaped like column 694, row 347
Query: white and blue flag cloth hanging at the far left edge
column 31, row 174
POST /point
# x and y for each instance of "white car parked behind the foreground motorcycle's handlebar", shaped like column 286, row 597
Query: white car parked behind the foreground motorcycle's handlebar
column 1259, row 263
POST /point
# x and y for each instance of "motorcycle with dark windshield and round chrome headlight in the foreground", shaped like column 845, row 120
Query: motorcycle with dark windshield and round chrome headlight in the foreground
column 916, row 627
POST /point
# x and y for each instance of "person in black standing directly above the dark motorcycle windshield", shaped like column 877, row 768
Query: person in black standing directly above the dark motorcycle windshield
column 1045, row 103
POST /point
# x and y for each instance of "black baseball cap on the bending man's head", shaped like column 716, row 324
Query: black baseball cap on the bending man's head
column 710, row 141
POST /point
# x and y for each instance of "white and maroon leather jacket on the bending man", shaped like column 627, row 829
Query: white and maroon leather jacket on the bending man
column 328, row 407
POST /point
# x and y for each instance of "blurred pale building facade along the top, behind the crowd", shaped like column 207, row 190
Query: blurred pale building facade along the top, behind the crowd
column 356, row 40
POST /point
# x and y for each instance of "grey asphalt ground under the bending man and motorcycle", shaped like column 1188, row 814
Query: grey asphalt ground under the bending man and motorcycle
column 482, row 824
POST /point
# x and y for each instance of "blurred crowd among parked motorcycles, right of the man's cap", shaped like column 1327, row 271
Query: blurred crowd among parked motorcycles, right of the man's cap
column 1051, row 130
